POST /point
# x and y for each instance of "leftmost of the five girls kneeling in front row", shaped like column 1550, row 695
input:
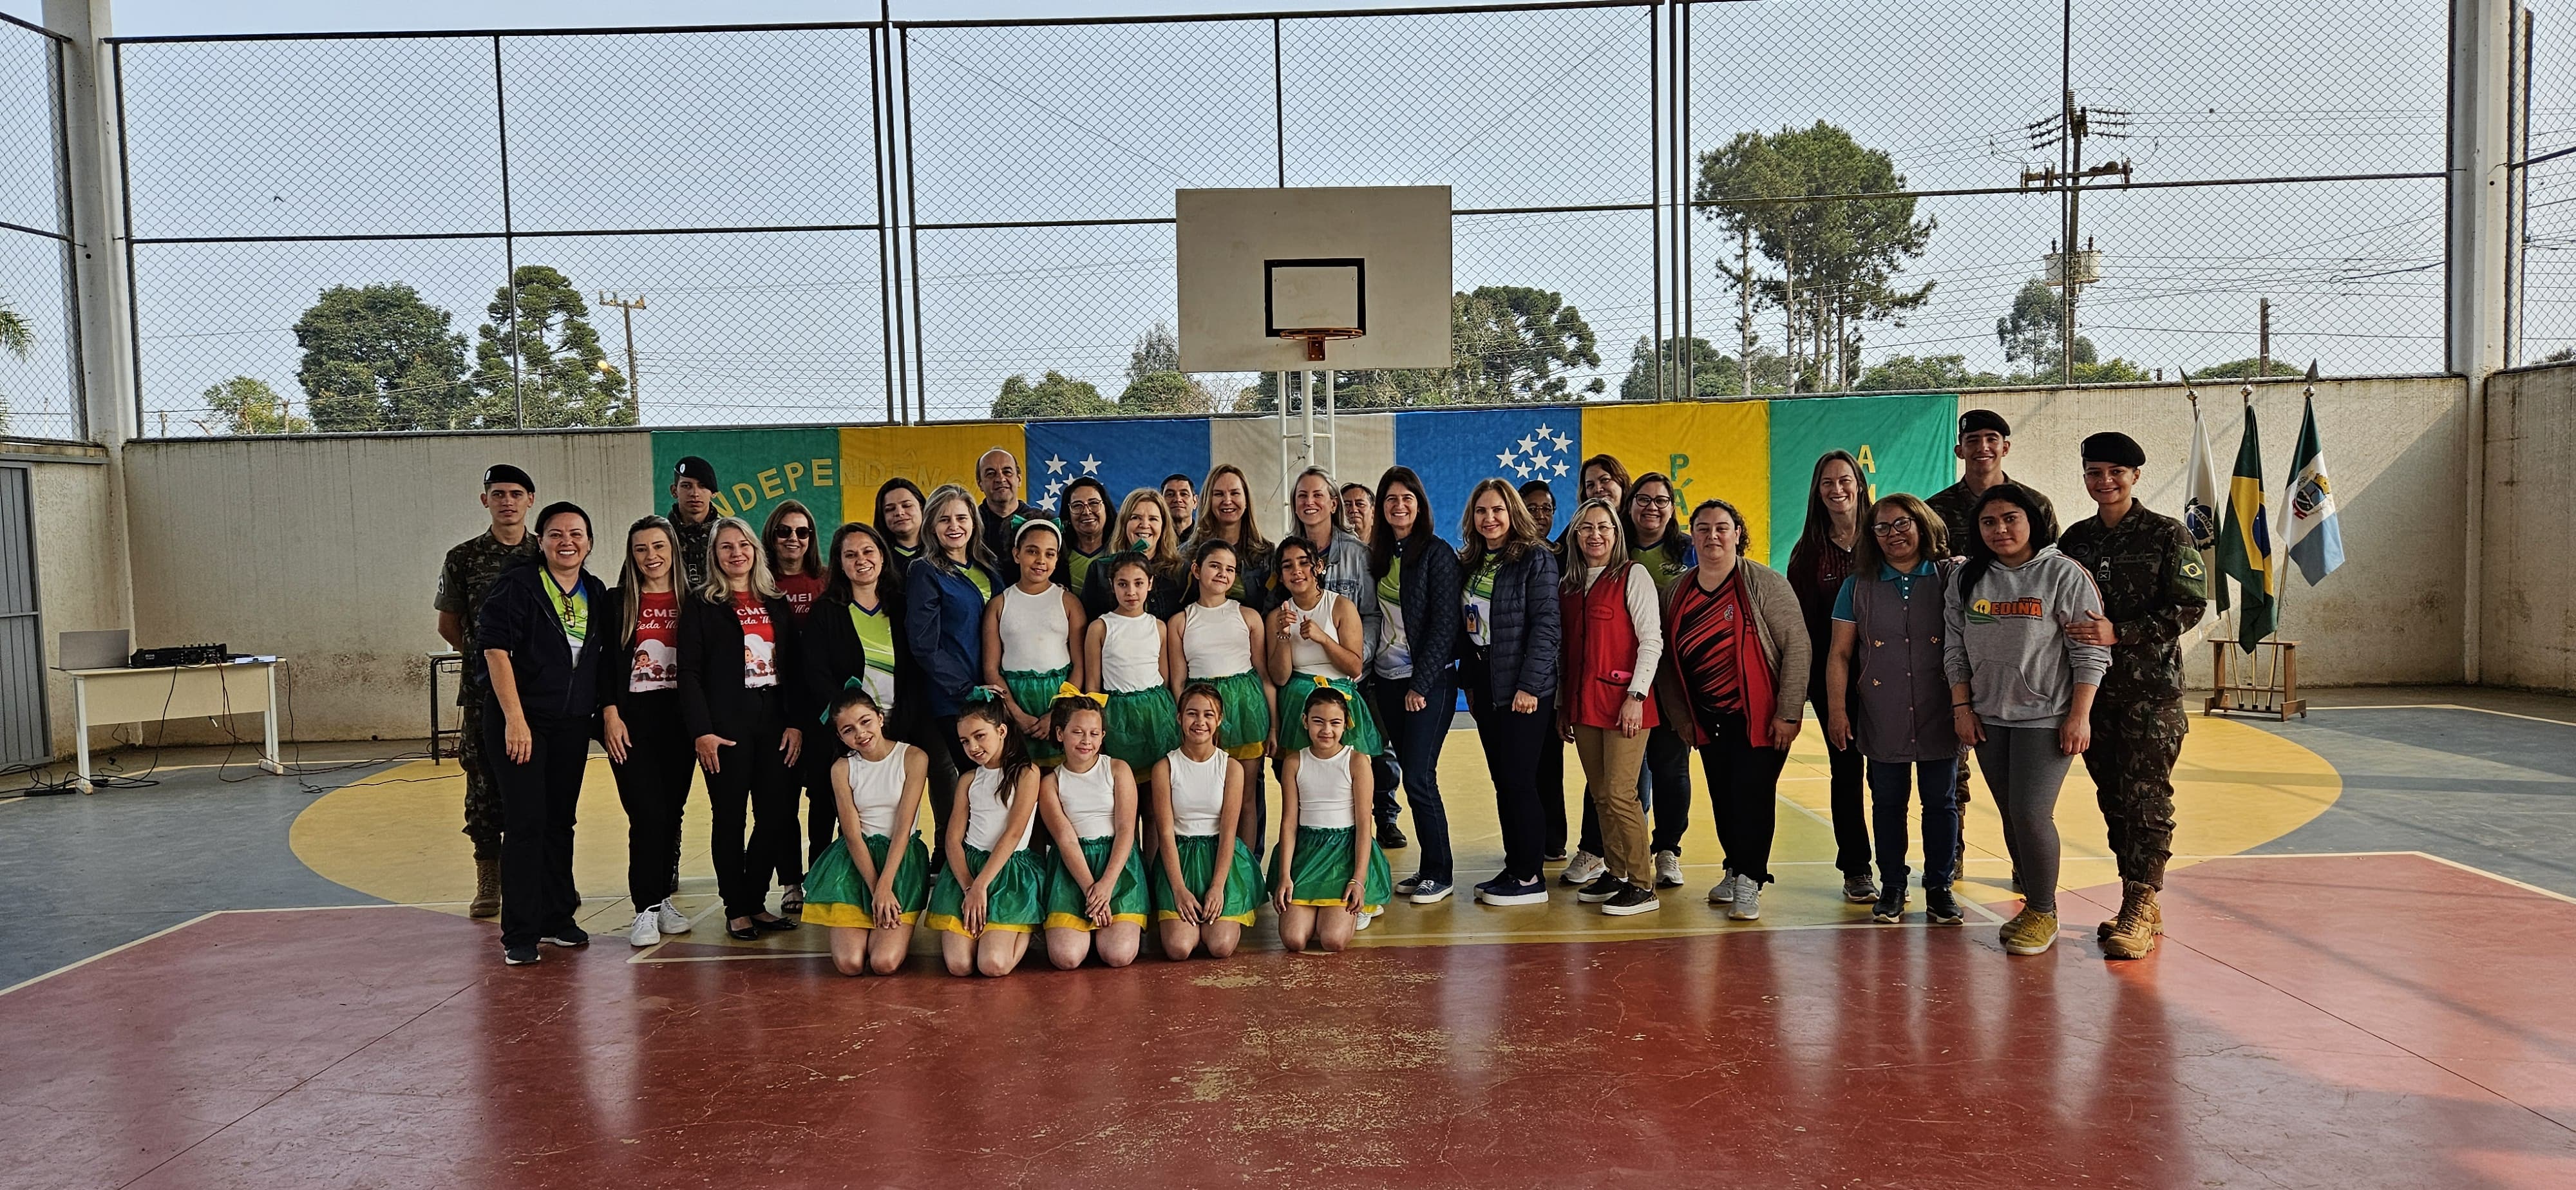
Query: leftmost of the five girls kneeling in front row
column 872, row 895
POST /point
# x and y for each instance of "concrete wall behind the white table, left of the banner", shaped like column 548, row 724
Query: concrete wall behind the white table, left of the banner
column 326, row 552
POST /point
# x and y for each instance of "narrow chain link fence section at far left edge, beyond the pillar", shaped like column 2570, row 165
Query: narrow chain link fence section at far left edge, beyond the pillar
column 40, row 326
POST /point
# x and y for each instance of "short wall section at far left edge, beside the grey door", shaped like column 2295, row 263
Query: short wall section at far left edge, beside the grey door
column 81, row 560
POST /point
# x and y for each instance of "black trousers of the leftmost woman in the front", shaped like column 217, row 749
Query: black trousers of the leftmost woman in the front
column 537, row 802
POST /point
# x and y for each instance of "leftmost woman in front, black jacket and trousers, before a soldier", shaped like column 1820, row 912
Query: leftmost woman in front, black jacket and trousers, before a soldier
column 542, row 632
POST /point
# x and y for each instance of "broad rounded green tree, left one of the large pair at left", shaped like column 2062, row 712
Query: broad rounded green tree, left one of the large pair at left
column 383, row 359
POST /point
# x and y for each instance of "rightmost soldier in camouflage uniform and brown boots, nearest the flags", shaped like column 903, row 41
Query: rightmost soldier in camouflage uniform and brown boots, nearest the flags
column 2155, row 591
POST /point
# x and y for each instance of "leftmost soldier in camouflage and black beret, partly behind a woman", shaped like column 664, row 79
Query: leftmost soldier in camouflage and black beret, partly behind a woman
column 462, row 583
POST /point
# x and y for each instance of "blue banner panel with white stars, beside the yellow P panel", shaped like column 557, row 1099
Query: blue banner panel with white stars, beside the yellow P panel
column 1457, row 449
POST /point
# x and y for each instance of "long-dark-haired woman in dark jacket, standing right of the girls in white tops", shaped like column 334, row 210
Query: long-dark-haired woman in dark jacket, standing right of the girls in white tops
column 1410, row 679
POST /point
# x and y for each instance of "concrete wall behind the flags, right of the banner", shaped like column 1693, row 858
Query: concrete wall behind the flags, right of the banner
column 2397, row 457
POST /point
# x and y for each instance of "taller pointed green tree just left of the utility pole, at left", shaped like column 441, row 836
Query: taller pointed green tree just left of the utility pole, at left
column 563, row 375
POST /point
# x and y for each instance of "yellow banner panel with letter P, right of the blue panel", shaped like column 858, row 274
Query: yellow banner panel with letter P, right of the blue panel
column 1712, row 452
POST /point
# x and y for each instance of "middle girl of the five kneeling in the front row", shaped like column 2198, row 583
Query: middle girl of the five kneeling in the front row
column 1096, row 887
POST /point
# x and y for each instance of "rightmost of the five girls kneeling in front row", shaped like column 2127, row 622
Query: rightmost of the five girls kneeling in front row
column 1325, row 877
